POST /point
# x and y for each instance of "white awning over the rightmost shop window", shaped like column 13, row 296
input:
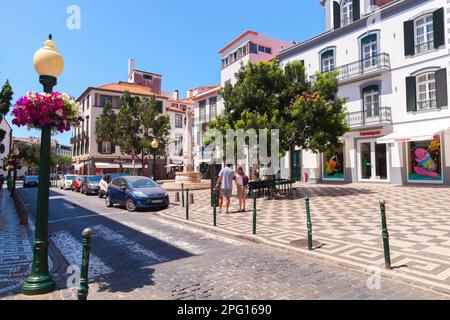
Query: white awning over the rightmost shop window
column 415, row 132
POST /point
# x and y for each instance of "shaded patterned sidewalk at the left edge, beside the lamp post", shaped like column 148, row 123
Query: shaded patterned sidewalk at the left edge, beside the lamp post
column 15, row 248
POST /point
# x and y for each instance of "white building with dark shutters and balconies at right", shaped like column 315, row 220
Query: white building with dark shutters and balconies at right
column 393, row 58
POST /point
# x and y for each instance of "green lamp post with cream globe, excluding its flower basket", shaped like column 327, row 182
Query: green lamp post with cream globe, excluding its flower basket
column 49, row 64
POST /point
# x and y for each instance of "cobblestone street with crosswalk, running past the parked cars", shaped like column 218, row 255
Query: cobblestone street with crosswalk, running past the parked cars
column 141, row 256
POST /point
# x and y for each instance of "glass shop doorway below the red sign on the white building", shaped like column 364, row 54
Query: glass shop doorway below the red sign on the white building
column 373, row 161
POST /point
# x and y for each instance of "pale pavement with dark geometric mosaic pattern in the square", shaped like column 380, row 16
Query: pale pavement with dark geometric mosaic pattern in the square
column 346, row 221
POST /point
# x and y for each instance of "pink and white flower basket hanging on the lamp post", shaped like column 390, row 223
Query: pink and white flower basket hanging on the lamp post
column 56, row 109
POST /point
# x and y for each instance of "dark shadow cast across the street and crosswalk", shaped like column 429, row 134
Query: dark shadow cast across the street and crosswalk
column 122, row 259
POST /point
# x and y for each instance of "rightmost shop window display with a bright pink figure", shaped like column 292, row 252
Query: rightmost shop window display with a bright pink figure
column 425, row 160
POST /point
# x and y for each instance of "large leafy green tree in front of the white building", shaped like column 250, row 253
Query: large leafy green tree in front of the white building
column 266, row 97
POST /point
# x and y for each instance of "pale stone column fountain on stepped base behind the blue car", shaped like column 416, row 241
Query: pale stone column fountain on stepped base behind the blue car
column 189, row 178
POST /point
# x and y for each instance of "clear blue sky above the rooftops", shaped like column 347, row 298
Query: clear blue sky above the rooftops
column 176, row 38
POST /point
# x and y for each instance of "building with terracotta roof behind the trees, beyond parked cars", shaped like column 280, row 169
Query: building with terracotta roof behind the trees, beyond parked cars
column 93, row 158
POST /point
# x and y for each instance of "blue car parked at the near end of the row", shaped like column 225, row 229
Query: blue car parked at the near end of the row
column 136, row 193
